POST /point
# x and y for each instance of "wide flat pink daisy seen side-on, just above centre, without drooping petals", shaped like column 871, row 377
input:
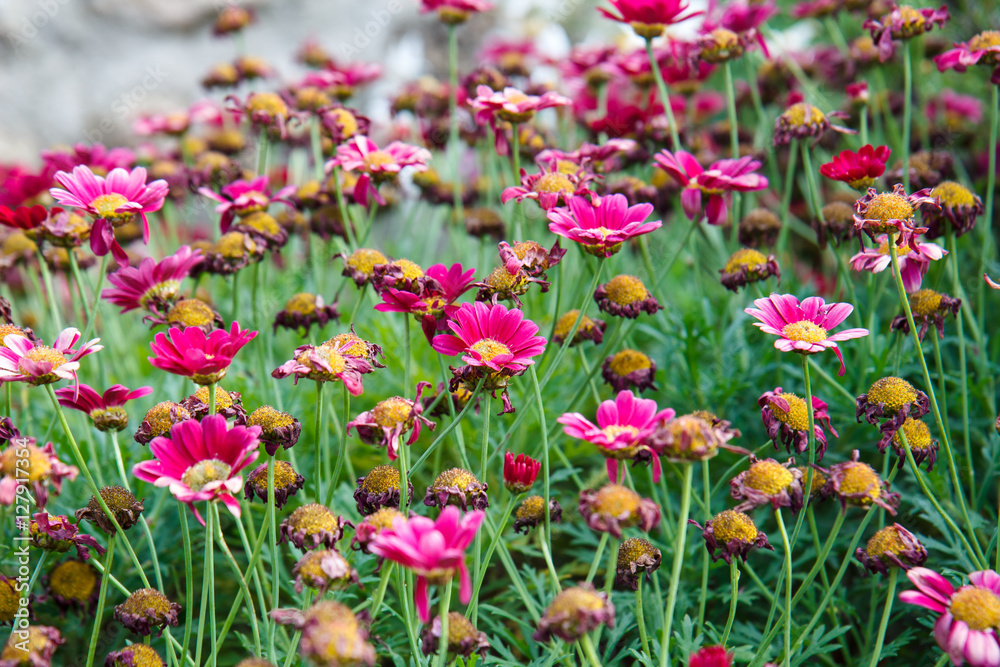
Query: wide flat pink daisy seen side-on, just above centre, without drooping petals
column 603, row 224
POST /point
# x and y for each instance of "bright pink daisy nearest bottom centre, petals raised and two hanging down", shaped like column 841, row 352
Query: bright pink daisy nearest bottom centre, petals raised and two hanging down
column 431, row 549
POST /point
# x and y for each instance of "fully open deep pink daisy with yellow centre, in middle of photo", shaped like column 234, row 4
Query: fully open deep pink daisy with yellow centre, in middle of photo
column 495, row 343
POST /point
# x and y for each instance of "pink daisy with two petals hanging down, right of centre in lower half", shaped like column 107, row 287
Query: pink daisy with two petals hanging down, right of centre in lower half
column 622, row 426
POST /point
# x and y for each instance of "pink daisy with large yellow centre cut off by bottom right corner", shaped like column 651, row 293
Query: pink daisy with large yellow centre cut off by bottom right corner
column 966, row 627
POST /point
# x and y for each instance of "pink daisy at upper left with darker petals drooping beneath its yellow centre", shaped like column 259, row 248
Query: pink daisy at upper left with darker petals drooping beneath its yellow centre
column 112, row 201
